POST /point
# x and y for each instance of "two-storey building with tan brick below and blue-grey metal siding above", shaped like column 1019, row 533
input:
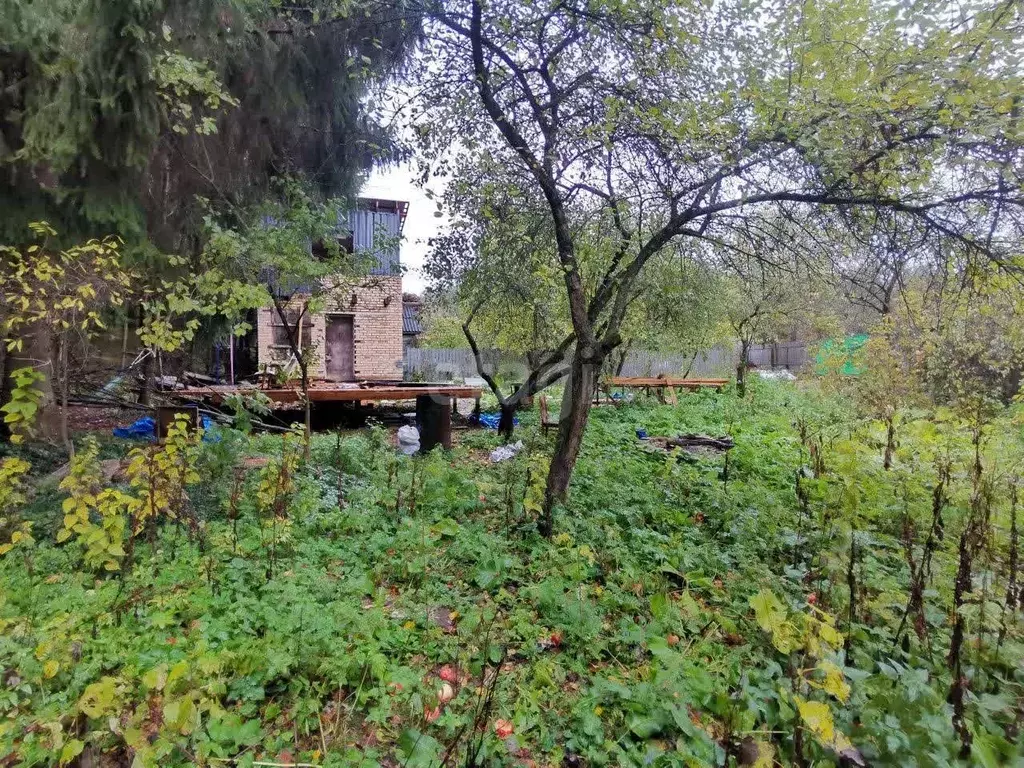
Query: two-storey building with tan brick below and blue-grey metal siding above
column 359, row 336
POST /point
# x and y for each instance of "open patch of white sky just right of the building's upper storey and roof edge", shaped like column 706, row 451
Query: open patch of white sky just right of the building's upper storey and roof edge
column 421, row 225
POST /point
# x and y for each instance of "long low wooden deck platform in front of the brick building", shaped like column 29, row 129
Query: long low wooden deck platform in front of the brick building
column 323, row 394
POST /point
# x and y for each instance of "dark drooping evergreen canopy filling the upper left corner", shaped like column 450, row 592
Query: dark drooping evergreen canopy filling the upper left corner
column 138, row 117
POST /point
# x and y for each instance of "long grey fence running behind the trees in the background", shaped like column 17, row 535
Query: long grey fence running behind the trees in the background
column 449, row 365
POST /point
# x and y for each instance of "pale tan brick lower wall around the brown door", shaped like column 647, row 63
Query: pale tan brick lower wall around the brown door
column 376, row 330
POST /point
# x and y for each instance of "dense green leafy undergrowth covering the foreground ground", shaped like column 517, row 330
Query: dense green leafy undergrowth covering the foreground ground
column 793, row 603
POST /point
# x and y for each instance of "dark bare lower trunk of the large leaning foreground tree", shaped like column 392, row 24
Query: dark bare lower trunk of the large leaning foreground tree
column 583, row 377
